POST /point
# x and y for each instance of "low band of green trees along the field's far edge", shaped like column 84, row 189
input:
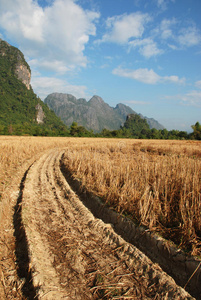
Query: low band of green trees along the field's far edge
column 133, row 128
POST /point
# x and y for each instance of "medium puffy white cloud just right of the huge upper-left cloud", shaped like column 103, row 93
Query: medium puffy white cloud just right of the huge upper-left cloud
column 124, row 27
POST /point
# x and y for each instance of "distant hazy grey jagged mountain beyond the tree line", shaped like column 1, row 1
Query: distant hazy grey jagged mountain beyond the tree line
column 94, row 114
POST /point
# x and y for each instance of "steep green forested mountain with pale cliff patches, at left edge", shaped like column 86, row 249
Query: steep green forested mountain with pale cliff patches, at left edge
column 19, row 106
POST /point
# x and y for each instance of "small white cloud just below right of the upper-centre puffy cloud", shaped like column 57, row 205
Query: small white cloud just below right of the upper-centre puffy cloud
column 147, row 47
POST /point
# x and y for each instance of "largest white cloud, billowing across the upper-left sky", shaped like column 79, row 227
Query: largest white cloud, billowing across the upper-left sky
column 57, row 32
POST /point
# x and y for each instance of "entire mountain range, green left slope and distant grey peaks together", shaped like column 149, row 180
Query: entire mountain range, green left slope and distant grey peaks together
column 22, row 112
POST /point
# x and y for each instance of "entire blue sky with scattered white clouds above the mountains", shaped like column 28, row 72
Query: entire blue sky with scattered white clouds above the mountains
column 143, row 53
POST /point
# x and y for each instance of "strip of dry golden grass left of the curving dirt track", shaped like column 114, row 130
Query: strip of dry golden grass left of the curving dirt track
column 15, row 152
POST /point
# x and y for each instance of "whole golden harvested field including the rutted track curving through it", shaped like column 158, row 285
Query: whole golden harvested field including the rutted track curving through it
column 156, row 184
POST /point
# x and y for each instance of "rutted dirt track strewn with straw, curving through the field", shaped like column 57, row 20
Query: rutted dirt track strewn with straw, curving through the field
column 73, row 255
